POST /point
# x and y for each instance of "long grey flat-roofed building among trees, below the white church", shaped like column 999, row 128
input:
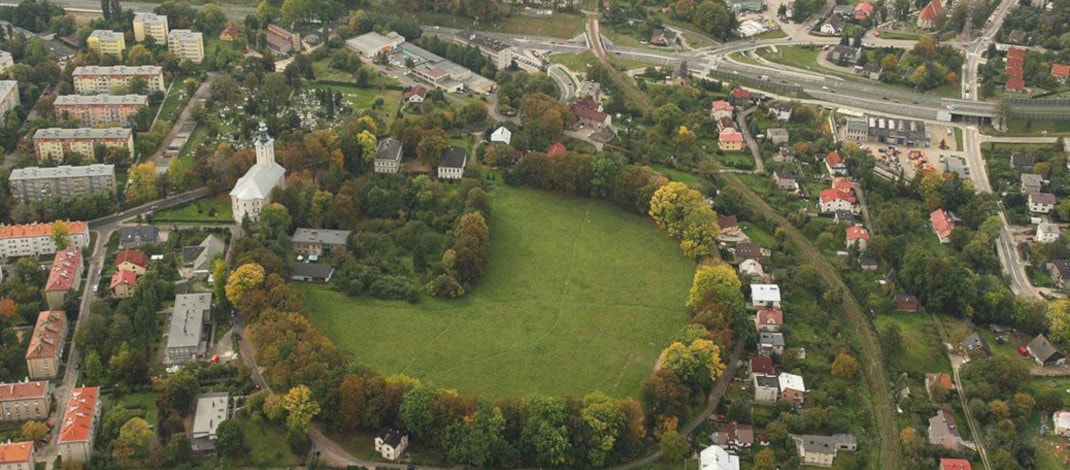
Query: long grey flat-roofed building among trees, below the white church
column 186, row 340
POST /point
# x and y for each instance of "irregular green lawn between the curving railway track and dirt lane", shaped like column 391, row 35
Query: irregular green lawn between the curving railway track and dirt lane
column 925, row 351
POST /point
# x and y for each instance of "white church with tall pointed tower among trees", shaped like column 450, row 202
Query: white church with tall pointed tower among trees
column 251, row 193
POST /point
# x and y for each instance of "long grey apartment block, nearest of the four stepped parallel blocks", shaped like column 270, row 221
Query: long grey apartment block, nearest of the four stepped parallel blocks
column 36, row 184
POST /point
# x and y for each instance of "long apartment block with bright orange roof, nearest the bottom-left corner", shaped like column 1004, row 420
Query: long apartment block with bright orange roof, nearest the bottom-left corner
column 79, row 429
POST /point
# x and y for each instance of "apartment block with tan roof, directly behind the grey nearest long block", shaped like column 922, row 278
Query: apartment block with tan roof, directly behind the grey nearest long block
column 54, row 144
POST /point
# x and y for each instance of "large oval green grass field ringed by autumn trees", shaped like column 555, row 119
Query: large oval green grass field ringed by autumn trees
column 578, row 296
